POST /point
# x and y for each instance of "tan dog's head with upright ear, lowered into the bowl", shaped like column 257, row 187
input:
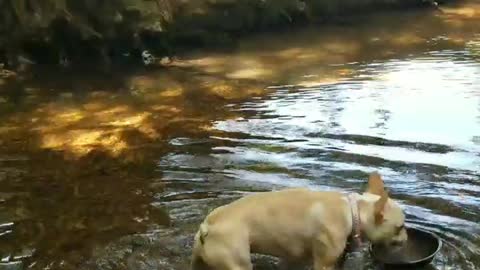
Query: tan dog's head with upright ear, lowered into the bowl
column 385, row 220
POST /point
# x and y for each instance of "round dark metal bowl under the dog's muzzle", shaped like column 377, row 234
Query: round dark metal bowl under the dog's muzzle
column 419, row 251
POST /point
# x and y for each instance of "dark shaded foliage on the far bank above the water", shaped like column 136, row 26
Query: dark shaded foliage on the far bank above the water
column 62, row 25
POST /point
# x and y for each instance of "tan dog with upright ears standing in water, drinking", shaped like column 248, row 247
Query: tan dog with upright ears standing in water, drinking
column 295, row 224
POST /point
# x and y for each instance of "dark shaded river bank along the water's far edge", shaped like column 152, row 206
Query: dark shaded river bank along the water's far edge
column 113, row 33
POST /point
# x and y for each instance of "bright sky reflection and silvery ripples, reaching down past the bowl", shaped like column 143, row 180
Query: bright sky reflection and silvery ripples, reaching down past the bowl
column 414, row 119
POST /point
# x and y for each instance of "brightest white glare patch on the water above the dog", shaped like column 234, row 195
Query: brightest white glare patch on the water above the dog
column 416, row 101
